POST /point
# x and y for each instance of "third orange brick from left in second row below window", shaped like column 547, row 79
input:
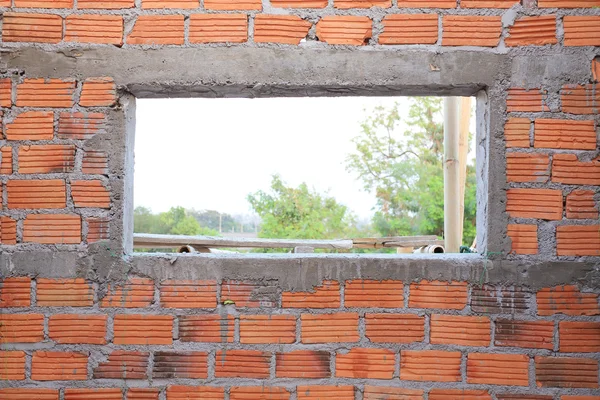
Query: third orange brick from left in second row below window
column 143, row 329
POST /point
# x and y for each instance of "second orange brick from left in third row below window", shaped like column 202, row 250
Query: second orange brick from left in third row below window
column 58, row 366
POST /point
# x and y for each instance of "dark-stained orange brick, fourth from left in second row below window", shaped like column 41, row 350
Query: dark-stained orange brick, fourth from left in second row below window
column 206, row 328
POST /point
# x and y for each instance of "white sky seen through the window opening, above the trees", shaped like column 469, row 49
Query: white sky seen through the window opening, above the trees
column 211, row 153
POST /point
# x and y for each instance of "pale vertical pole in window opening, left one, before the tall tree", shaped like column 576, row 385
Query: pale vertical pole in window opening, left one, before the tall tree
column 451, row 175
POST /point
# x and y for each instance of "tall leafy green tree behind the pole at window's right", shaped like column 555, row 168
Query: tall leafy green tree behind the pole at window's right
column 405, row 170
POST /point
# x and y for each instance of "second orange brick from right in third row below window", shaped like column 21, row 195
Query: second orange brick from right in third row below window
column 498, row 369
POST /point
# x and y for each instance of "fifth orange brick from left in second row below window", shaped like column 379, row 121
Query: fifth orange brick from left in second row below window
column 278, row 329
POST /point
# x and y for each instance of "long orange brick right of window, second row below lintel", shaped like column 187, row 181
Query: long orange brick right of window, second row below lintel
column 565, row 134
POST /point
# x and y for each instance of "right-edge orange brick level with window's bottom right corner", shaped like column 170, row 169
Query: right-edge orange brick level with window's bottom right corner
column 578, row 240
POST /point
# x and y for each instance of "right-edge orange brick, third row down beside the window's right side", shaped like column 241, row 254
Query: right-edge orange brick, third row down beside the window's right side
column 567, row 169
